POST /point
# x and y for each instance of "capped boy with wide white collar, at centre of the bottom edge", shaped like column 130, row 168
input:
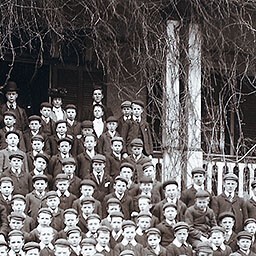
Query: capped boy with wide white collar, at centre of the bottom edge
column 129, row 242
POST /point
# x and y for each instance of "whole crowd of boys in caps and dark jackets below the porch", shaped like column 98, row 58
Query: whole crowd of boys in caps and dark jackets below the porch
column 90, row 188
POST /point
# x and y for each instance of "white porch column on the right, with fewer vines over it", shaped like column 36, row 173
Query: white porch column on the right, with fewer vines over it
column 194, row 154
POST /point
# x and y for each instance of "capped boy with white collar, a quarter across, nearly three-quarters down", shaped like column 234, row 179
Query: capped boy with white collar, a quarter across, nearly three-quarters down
column 62, row 185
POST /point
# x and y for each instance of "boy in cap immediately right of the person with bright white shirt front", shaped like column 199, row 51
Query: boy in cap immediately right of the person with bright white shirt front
column 104, row 143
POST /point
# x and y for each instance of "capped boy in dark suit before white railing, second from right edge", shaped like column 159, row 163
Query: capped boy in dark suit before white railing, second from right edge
column 229, row 201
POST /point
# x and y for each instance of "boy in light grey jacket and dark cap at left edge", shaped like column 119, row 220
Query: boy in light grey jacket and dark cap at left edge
column 12, row 139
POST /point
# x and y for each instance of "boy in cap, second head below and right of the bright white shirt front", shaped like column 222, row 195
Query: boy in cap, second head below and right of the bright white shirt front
column 114, row 157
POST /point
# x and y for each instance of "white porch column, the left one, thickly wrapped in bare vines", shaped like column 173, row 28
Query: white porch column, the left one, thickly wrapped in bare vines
column 171, row 107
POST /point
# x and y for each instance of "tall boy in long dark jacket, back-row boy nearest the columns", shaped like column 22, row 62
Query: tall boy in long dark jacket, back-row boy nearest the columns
column 138, row 128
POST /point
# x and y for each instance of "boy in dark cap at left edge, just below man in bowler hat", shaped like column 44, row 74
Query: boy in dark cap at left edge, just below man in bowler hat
column 9, row 125
